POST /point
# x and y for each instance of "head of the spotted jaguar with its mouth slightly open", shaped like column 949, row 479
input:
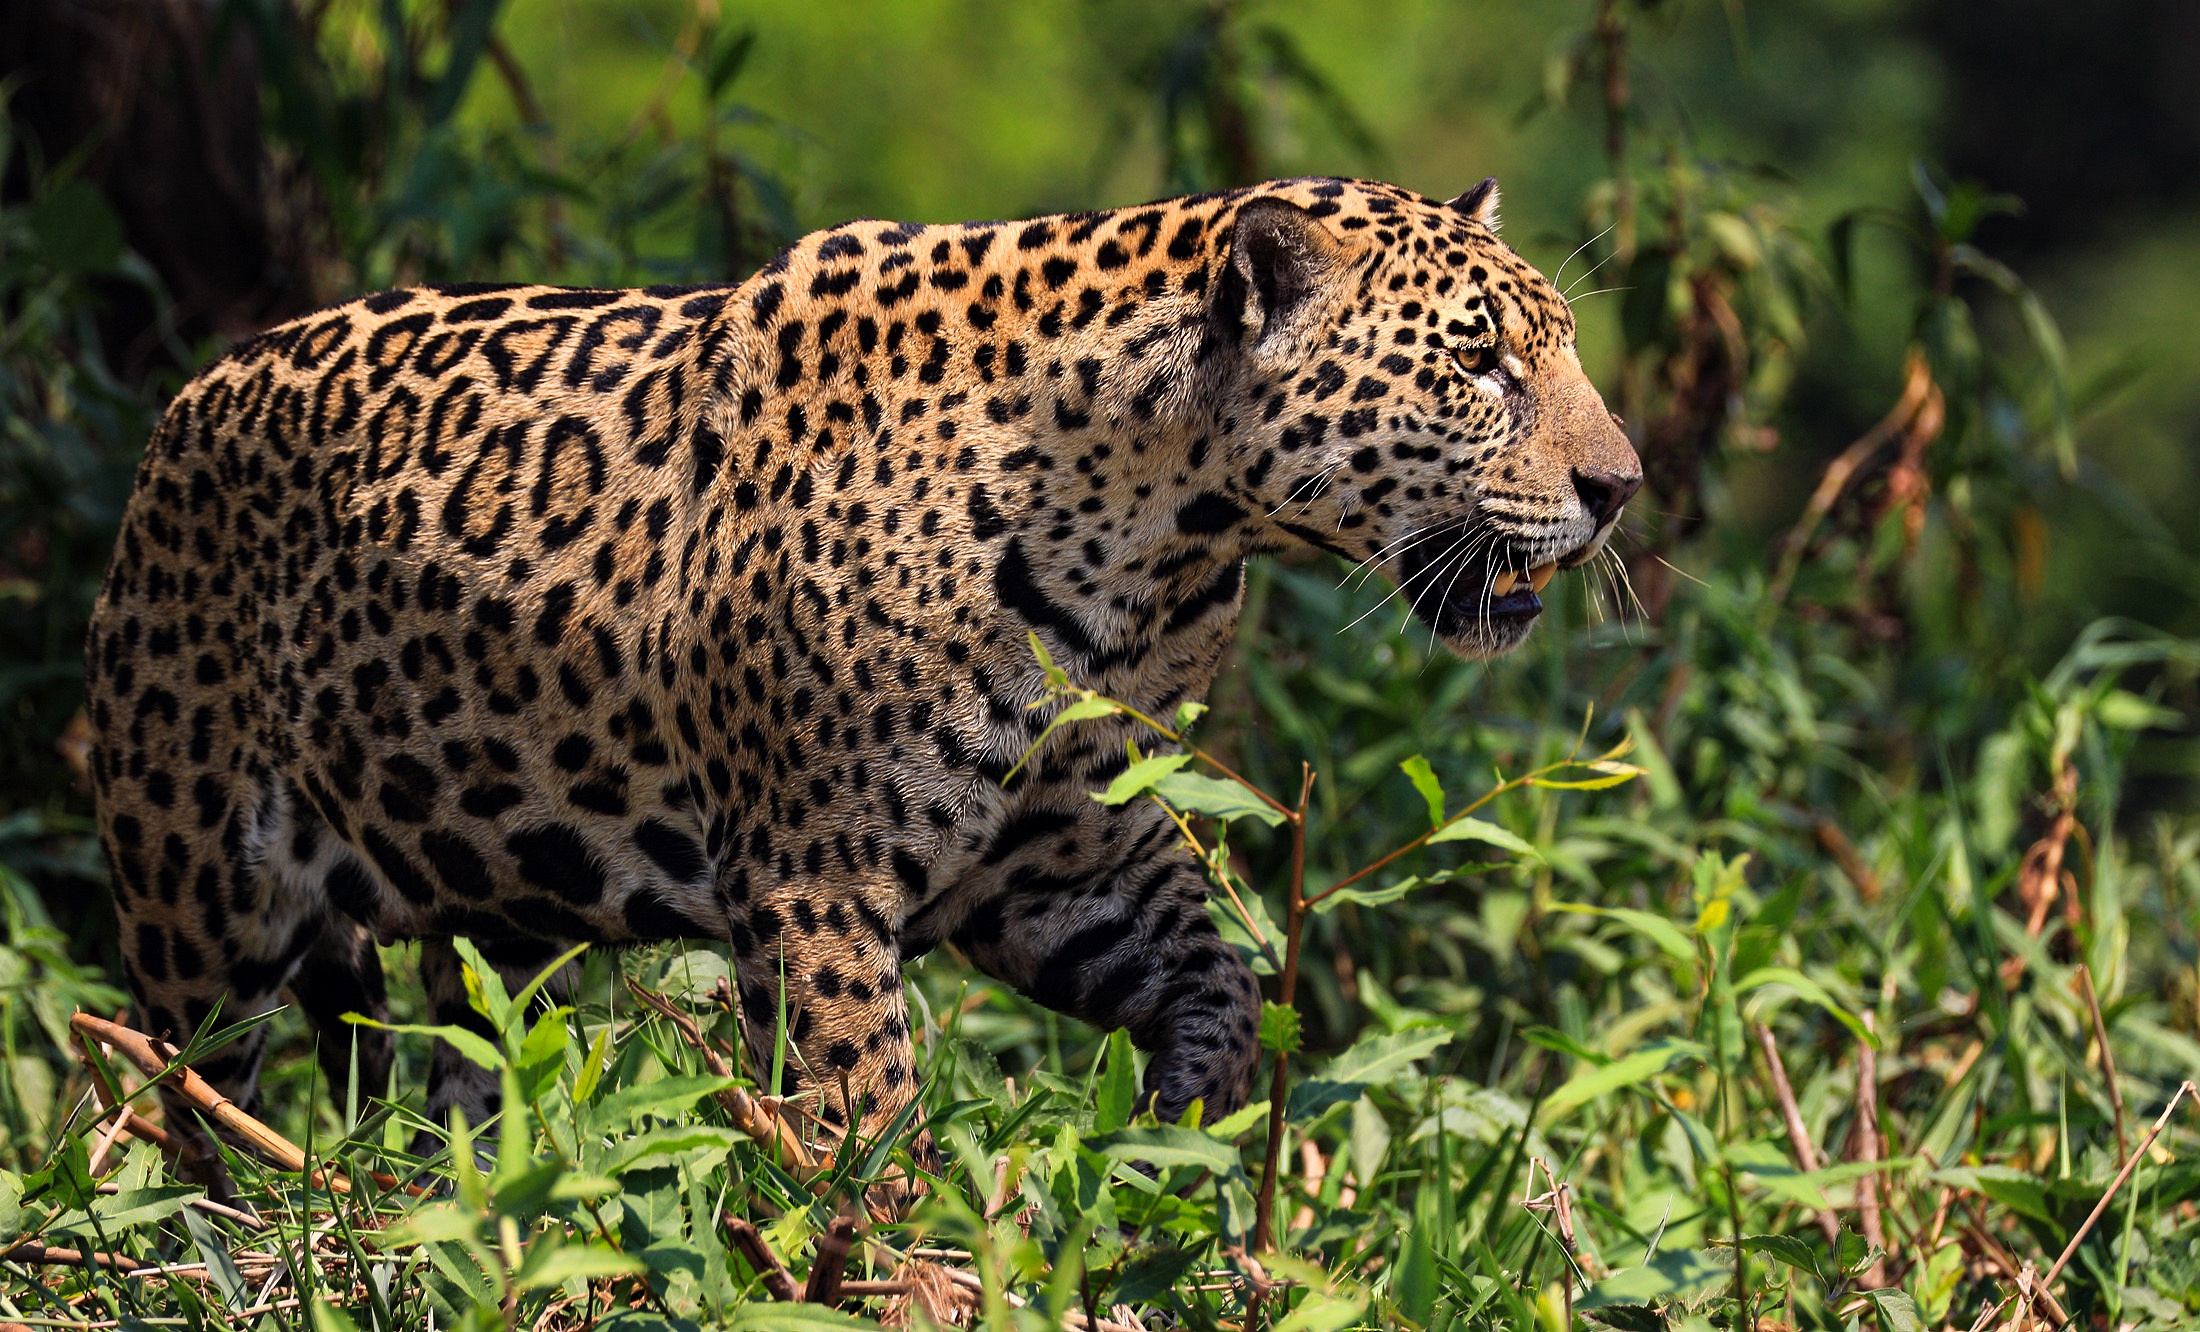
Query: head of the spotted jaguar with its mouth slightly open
column 1418, row 404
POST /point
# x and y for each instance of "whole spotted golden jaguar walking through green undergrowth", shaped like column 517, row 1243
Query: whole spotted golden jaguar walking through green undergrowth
column 540, row 615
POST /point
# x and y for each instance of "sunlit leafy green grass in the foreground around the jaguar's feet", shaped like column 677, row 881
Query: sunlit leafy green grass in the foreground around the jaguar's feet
column 1589, row 979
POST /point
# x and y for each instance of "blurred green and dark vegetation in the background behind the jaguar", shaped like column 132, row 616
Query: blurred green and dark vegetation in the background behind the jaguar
column 1796, row 234
